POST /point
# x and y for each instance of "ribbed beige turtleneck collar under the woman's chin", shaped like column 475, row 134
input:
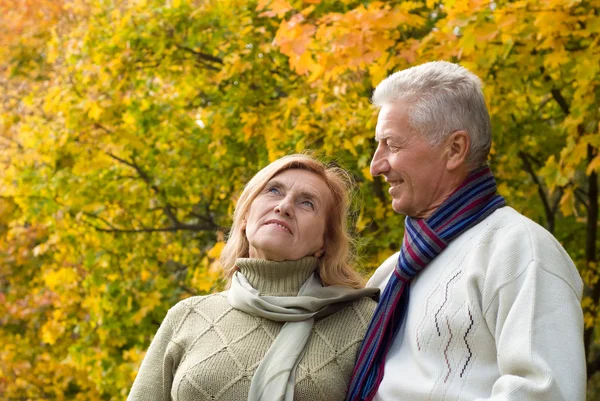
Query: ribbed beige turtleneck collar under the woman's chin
column 277, row 278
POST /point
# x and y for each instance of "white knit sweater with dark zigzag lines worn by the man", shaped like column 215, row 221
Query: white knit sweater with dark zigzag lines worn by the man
column 496, row 316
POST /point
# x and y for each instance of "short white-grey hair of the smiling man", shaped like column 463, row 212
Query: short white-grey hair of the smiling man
column 443, row 98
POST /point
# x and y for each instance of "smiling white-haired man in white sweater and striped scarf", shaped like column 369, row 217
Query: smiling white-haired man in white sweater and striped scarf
column 480, row 303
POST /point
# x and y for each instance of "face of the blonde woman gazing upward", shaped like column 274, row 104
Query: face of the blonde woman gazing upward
column 286, row 221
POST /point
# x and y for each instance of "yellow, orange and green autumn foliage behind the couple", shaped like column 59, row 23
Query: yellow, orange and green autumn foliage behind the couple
column 128, row 128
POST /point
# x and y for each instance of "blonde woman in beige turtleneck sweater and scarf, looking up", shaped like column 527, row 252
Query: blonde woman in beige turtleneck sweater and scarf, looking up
column 290, row 325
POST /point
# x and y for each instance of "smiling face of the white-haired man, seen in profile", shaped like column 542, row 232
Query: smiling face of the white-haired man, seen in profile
column 416, row 171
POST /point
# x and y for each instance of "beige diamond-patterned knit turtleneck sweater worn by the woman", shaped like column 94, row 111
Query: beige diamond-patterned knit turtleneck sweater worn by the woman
column 206, row 350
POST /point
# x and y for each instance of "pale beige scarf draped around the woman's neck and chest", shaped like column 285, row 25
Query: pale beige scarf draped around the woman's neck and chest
column 275, row 376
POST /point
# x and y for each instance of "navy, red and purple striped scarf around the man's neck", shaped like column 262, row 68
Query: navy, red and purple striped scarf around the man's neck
column 424, row 239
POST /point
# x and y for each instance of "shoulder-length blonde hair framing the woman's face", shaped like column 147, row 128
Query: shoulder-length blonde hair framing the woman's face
column 335, row 267
